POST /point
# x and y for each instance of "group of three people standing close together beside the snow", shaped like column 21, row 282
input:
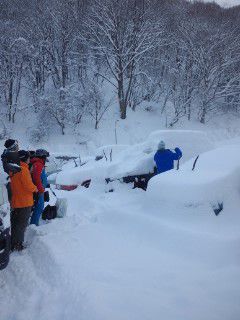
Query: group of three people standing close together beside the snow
column 26, row 183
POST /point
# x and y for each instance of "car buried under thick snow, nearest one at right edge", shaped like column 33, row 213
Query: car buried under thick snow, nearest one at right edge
column 214, row 180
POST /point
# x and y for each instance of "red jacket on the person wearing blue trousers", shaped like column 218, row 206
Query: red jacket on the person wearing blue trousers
column 38, row 174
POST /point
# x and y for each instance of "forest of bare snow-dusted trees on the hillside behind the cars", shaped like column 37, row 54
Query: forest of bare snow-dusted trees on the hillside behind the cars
column 62, row 61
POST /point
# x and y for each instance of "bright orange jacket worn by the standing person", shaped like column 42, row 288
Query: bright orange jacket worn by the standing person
column 22, row 188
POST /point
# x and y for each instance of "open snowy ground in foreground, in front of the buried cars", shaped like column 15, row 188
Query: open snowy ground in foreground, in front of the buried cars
column 111, row 259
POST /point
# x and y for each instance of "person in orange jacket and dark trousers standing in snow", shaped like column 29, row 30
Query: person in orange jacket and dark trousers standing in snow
column 22, row 201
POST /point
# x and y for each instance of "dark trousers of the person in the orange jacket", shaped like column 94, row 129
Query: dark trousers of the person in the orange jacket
column 19, row 222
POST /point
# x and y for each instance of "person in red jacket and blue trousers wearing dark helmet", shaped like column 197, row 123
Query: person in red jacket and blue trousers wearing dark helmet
column 40, row 180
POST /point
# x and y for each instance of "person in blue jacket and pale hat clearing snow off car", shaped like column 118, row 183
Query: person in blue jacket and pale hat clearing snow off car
column 164, row 158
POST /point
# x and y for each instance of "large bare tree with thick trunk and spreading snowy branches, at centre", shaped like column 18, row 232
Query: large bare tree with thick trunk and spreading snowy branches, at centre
column 121, row 33
